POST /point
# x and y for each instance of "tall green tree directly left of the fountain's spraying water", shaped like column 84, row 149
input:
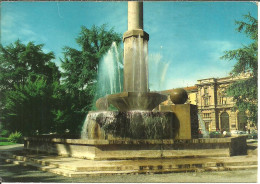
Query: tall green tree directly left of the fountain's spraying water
column 80, row 70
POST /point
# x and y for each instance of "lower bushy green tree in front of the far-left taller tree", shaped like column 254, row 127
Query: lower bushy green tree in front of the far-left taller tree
column 27, row 108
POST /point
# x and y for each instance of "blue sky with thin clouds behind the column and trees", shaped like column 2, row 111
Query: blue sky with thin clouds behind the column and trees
column 188, row 36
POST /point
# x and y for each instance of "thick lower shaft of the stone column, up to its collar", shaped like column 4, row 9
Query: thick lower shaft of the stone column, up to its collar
column 136, row 61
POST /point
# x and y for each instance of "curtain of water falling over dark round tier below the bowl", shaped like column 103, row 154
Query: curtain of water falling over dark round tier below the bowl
column 132, row 124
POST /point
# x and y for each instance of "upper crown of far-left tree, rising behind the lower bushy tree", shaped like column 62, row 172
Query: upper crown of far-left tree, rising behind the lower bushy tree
column 19, row 61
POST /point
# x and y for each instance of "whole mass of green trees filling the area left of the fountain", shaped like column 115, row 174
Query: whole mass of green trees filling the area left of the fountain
column 34, row 97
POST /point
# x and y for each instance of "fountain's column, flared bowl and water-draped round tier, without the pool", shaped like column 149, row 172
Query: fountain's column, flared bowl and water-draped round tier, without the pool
column 135, row 104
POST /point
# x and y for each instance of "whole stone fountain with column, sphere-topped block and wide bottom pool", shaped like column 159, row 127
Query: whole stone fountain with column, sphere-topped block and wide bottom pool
column 138, row 131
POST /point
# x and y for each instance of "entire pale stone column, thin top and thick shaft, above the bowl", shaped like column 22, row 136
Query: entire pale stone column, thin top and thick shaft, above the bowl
column 135, row 51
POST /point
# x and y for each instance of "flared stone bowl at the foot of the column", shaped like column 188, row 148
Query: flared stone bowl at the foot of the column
column 127, row 101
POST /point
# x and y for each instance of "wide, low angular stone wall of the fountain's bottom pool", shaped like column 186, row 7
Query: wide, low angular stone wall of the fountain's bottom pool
column 130, row 149
